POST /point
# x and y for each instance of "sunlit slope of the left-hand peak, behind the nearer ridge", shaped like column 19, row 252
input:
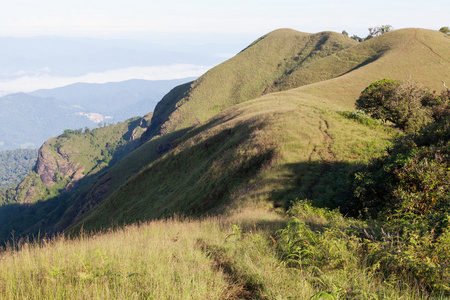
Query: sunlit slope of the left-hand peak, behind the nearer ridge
column 251, row 73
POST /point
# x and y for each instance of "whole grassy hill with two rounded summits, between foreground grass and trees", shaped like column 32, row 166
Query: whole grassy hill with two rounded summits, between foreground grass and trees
column 226, row 138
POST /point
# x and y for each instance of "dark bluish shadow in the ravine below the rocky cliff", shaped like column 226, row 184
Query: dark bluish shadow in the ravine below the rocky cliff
column 47, row 218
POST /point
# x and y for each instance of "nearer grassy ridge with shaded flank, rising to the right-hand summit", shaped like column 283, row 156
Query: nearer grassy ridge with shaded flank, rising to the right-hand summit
column 275, row 148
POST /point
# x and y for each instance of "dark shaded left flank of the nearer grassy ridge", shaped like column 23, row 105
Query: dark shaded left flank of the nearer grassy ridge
column 196, row 179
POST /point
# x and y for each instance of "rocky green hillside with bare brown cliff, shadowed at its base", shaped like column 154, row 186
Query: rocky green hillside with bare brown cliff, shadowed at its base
column 66, row 165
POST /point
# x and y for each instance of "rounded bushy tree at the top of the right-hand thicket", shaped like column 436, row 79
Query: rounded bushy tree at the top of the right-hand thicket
column 398, row 102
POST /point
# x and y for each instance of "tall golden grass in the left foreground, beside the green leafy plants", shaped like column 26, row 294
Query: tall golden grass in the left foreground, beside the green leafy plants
column 166, row 259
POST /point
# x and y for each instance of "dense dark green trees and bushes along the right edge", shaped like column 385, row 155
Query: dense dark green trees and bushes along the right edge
column 407, row 191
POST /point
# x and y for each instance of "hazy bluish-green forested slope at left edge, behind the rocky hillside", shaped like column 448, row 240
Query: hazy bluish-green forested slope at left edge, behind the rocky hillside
column 15, row 164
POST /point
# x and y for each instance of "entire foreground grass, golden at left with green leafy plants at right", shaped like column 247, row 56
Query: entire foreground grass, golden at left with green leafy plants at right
column 244, row 255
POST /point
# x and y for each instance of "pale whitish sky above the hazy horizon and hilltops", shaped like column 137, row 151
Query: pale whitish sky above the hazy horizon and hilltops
column 114, row 18
